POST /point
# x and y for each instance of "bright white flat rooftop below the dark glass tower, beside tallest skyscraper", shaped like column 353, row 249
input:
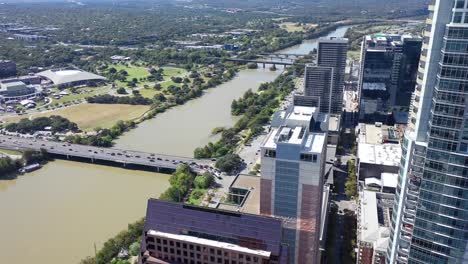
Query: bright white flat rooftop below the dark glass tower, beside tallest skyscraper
column 384, row 154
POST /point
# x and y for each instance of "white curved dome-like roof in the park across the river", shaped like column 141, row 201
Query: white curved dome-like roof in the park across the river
column 69, row 75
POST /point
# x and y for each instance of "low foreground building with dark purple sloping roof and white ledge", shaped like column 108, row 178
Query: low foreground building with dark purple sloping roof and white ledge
column 176, row 233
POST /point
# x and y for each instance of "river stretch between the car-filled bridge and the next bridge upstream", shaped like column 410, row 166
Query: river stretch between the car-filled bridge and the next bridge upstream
column 182, row 129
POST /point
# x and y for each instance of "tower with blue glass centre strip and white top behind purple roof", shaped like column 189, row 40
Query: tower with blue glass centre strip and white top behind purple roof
column 291, row 185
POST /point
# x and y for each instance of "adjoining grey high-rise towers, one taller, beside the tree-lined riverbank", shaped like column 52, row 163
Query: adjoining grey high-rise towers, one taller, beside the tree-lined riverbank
column 324, row 83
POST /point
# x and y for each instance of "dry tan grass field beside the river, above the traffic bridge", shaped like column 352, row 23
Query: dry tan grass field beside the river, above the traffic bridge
column 90, row 116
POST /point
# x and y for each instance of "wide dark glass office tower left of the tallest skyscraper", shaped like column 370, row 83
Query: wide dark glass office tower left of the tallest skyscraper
column 389, row 66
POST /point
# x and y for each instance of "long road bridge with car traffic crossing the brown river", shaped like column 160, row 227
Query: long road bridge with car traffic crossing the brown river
column 107, row 156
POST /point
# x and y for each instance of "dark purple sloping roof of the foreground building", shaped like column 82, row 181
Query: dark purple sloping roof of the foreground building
column 176, row 218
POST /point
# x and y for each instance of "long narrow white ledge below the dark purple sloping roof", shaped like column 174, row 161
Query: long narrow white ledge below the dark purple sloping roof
column 208, row 242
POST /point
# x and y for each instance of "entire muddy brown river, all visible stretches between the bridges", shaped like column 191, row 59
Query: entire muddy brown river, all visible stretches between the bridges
column 56, row 214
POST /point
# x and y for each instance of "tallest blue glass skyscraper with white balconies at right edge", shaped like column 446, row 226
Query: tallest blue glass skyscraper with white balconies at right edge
column 430, row 215
